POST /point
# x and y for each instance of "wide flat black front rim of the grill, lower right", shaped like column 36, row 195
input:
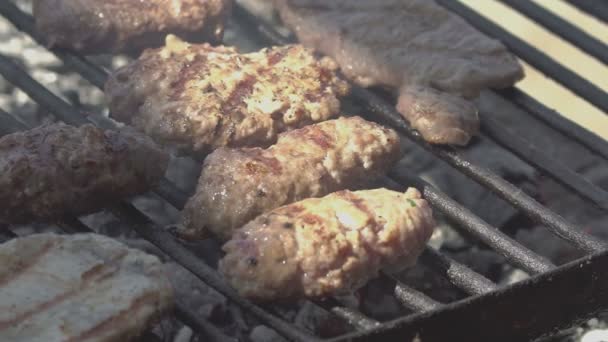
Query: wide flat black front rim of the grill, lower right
column 521, row 312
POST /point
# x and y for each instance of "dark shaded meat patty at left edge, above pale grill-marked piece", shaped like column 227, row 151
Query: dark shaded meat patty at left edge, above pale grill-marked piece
column 56, row 170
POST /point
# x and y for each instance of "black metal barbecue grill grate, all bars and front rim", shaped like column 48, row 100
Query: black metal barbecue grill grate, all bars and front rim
column 552, row 299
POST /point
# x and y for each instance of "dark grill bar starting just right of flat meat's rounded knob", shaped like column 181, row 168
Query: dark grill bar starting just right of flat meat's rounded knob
column 524, row 149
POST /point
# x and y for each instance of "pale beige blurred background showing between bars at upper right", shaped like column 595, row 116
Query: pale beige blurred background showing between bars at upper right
column 536, row 84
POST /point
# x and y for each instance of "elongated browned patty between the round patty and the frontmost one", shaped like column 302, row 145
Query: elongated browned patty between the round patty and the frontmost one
column 236, row 185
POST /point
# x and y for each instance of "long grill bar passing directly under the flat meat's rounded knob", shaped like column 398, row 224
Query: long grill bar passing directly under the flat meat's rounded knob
column 376, row 108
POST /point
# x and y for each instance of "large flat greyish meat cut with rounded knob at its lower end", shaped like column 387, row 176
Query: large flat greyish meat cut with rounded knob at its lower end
column 435, row 58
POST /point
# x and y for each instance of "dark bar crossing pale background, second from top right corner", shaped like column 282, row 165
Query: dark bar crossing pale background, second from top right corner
column 561, row 27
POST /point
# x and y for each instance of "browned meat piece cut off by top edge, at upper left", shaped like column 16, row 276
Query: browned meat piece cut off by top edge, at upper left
column 128, row 26
